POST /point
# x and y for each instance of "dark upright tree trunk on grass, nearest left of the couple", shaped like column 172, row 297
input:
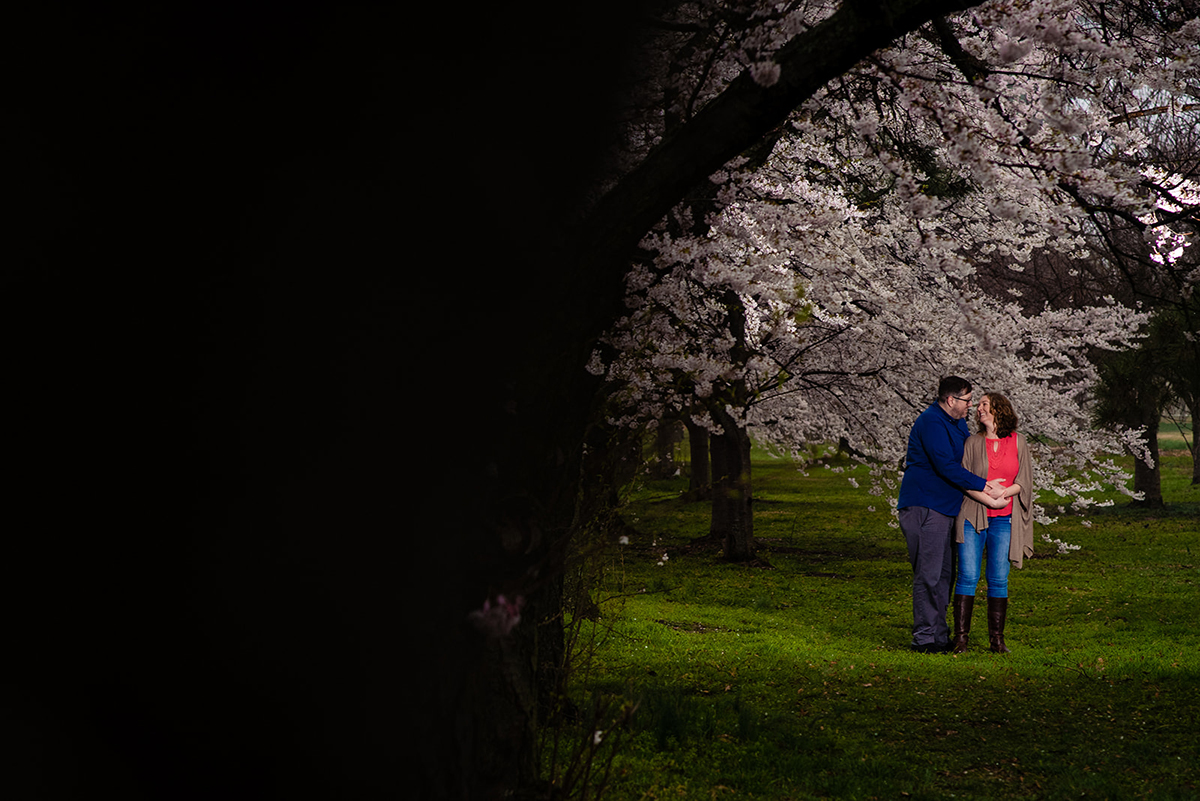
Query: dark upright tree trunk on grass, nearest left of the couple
column 733, row 514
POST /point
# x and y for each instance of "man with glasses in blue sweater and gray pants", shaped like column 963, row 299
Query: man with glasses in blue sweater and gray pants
column 931, row 498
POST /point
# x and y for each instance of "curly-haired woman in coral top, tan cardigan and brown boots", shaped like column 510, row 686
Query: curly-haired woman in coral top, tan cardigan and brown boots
column 1004, row 527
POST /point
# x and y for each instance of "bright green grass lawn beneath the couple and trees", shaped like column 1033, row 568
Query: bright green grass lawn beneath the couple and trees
column 791, row 678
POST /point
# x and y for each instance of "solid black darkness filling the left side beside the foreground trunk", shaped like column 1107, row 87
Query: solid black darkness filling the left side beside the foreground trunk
column 269, row 266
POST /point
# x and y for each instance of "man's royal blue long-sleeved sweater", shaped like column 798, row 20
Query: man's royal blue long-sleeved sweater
column 934, row 474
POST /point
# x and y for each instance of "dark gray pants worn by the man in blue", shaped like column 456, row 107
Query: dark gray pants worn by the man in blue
column 931, row 538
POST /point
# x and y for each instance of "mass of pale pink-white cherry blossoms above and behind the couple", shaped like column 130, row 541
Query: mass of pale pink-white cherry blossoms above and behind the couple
column 835, row 284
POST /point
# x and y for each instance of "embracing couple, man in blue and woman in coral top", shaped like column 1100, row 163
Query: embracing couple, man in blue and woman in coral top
column 963, row 496
